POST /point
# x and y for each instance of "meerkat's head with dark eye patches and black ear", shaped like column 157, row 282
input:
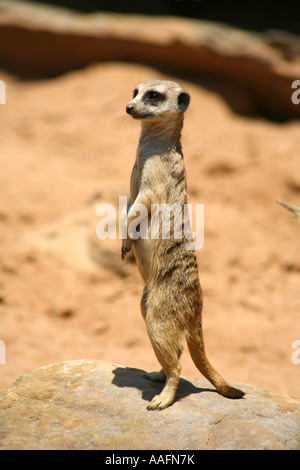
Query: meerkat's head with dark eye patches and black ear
column 157, row 99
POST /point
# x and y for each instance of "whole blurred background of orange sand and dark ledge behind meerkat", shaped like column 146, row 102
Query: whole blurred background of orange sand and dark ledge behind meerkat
column 67, row 145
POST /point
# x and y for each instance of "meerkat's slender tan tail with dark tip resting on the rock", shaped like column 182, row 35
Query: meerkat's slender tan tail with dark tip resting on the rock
column 195, row 344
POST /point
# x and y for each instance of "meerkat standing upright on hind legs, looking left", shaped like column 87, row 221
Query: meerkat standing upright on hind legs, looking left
column 171, row 303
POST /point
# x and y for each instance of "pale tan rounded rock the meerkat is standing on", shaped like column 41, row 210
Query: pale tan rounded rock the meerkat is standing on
column 97, row 405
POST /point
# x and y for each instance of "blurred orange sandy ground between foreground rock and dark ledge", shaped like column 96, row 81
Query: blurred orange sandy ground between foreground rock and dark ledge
column 68, row 146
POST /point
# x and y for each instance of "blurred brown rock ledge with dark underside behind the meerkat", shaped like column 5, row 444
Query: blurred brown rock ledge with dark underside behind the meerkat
column 253, row 63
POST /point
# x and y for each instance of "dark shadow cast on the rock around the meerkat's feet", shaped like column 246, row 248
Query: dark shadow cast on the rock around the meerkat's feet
column 131, row 377
